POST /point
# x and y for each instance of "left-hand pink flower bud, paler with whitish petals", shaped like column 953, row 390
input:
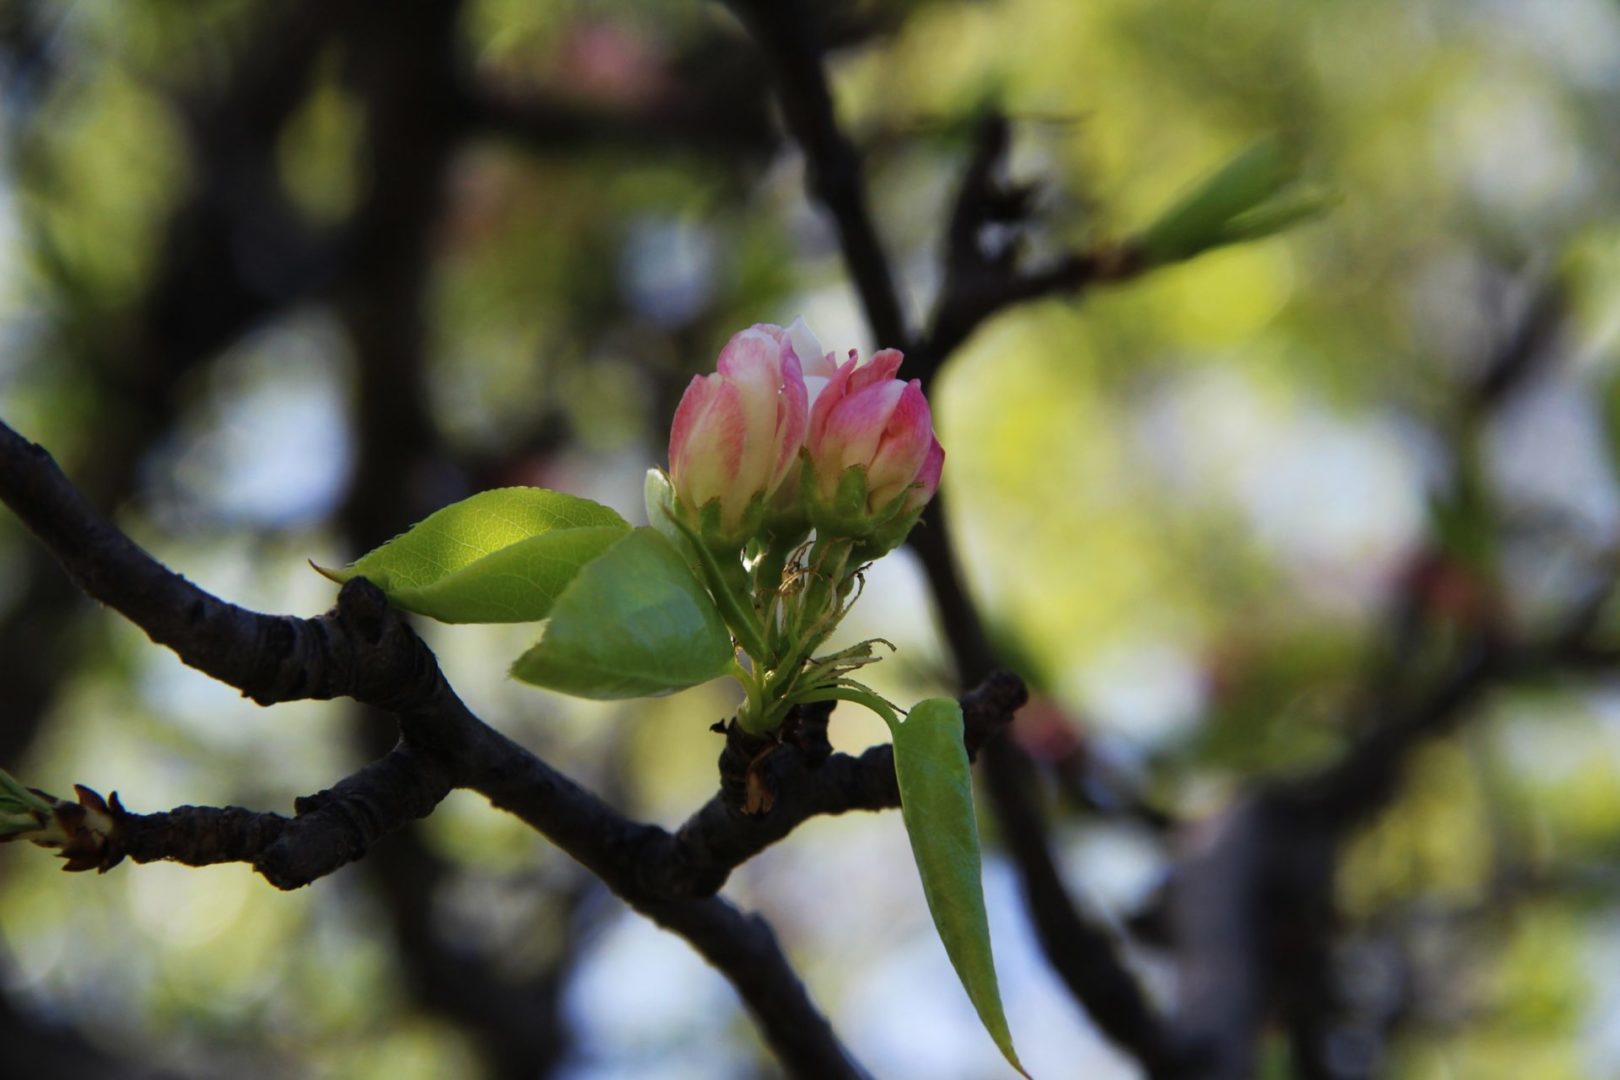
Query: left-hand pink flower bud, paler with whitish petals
column 738, row 435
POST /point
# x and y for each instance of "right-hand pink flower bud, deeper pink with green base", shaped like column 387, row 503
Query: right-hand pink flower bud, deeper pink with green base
column 872, row 451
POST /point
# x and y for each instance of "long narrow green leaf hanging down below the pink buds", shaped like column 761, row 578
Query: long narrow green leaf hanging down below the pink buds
column 937, row 802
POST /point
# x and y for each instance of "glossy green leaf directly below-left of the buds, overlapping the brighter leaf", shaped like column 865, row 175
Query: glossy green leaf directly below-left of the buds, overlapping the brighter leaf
column 634, row 624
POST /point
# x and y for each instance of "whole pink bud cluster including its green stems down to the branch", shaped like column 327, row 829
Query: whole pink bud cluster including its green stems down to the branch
column 778, row 441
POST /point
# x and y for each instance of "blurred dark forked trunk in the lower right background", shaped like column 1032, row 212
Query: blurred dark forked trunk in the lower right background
column 1255, row 899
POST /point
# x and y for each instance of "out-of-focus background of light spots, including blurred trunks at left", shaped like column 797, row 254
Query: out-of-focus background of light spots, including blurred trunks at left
column 279, row 278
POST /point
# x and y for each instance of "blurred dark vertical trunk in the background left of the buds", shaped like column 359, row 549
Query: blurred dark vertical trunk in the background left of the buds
column 406, row 75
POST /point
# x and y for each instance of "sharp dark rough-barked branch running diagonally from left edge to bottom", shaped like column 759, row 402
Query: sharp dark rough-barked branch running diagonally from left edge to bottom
column 367, row 652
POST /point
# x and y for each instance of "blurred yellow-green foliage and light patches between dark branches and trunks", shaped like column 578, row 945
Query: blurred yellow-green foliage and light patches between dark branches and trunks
column 1185, row 501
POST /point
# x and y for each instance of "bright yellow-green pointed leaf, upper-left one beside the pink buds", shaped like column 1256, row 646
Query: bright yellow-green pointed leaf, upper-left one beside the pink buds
column 501, row 556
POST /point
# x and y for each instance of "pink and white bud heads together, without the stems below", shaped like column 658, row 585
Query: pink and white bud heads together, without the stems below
column 782, row 438
